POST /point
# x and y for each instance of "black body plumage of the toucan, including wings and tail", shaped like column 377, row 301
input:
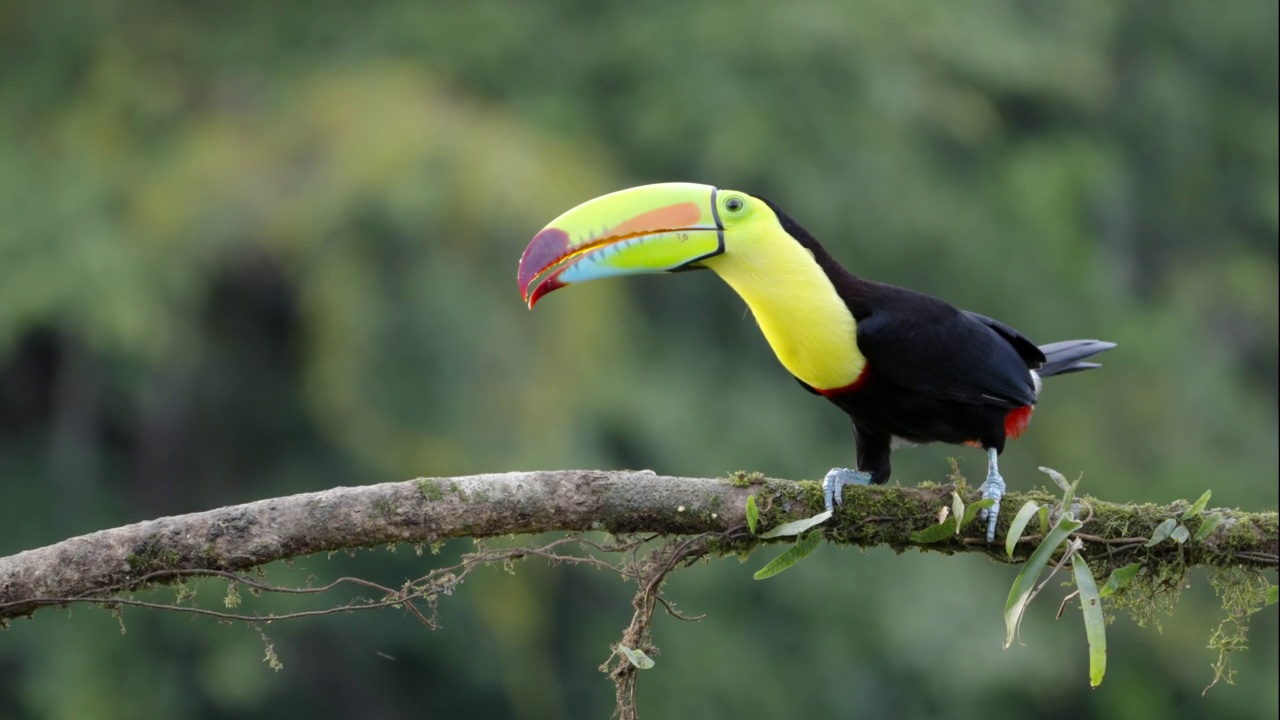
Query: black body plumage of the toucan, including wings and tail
column 935, row 373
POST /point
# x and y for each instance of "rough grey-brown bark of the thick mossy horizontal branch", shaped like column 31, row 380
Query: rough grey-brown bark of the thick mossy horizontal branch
column 435, row 509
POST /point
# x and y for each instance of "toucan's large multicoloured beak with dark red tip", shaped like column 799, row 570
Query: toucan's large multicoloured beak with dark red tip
column 652, row 229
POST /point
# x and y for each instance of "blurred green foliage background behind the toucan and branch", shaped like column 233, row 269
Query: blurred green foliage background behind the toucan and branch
column 258, row 249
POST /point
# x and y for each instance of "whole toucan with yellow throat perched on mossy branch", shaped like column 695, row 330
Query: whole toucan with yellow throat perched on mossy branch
column 908, row 368
